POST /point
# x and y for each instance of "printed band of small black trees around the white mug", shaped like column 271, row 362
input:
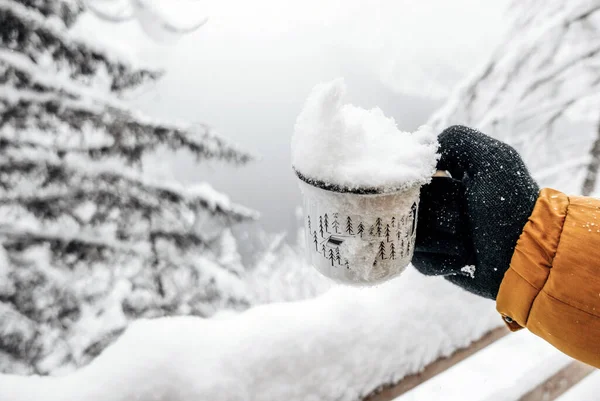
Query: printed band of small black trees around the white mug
column 393, row 236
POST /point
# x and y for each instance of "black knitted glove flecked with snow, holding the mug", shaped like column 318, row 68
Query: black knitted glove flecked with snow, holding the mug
column 469, row 224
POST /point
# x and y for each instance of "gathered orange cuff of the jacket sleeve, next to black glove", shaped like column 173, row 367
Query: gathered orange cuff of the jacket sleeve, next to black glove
column 532, row 259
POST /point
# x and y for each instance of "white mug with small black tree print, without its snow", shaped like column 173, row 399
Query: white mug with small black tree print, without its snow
column 360, row 239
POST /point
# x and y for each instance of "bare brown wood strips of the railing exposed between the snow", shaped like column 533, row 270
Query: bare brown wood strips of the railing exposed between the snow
column 549, row 390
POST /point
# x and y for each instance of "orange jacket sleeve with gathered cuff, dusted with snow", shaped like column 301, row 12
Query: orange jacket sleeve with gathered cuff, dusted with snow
column 553, row 284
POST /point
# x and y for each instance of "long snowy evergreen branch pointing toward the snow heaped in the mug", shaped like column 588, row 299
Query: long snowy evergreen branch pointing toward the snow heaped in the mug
column 130, row 136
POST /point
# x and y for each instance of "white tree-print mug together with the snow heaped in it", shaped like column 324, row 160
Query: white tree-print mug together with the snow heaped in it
column 344, row 148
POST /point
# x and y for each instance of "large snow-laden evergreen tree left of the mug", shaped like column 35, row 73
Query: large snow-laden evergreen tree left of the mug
column 87, row 239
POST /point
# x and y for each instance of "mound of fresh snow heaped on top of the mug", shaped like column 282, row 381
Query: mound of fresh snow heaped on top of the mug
column 347, row 146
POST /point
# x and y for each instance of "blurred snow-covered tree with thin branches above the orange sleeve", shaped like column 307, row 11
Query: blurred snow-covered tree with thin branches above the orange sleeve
column 545, row 73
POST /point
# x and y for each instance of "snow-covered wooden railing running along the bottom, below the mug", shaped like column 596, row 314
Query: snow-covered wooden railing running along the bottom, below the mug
column 340, row 346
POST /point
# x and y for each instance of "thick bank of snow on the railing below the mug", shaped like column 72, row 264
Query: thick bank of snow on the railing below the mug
column 338, row 346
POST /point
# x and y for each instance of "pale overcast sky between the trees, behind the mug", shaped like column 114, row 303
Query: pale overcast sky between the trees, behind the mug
column 248, row 70
